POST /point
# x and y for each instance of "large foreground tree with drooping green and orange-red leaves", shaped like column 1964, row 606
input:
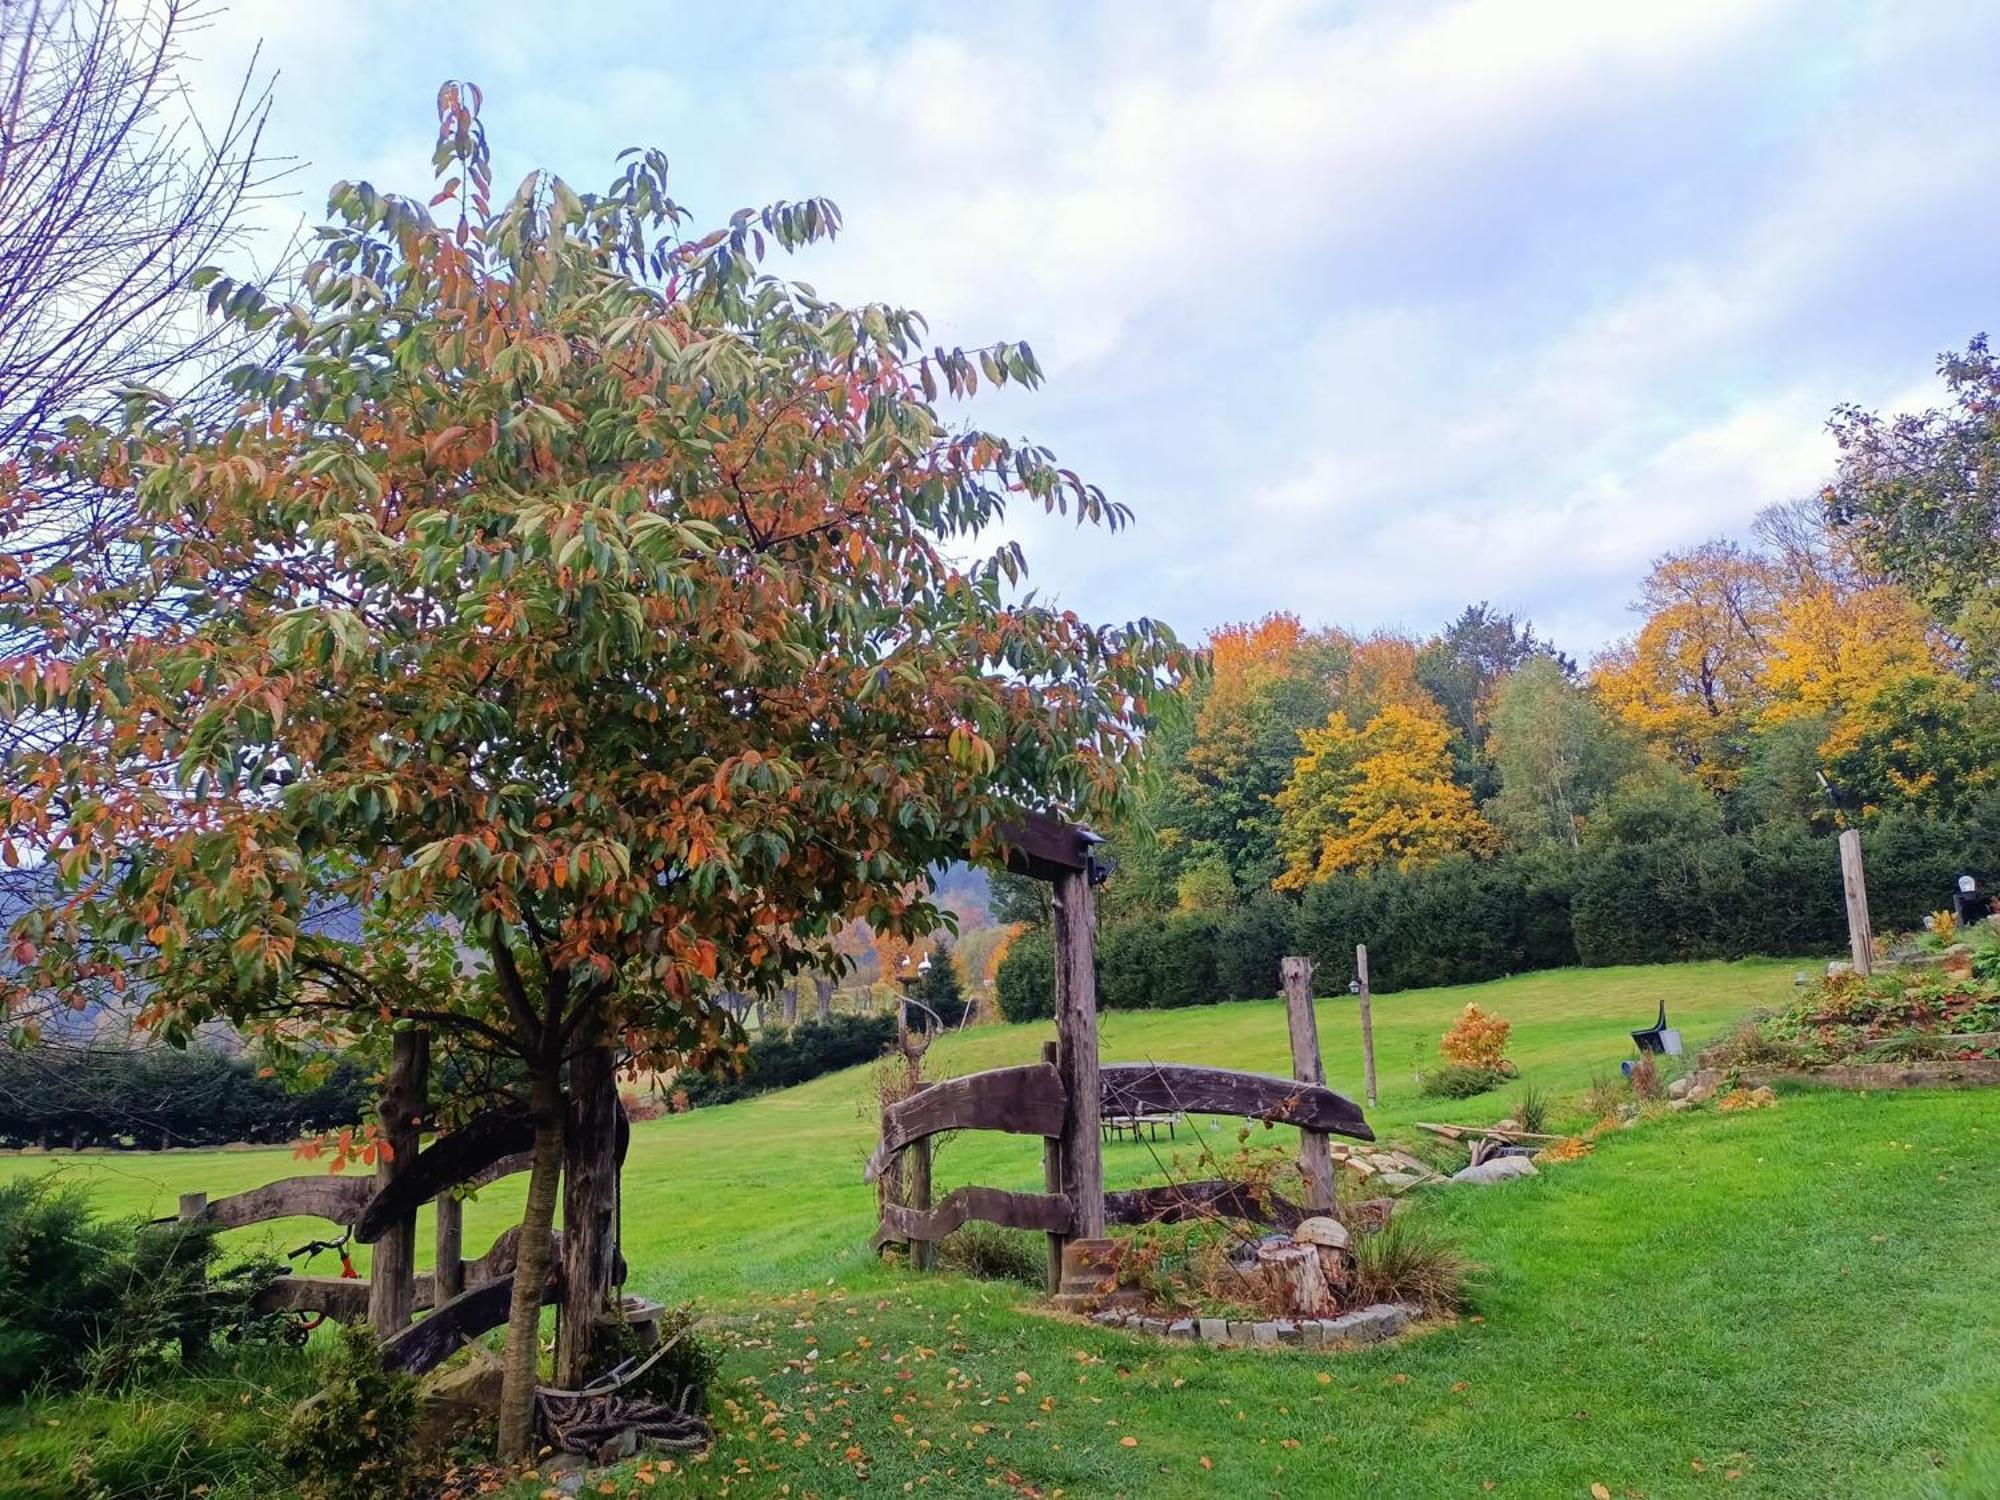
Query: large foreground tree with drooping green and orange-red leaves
column 569, row 587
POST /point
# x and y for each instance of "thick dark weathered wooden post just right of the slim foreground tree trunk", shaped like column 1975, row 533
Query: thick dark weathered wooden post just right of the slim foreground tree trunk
column 589, row 1209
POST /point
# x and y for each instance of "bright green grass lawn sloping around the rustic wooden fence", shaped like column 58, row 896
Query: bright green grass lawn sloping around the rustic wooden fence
column 1777, row 1303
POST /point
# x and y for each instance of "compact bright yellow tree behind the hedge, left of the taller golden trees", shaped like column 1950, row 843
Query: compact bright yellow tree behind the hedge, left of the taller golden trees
column 1375, row 797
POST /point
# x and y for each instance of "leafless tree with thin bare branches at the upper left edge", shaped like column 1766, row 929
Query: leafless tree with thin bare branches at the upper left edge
column 113, row 193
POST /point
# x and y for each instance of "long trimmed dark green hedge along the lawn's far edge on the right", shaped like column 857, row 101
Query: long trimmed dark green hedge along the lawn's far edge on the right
column 1463, row 921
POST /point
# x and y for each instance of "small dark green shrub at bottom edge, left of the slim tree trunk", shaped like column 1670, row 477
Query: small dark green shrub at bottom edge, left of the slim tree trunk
column 355, row 1441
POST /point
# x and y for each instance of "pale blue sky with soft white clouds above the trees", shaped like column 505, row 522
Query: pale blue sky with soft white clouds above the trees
column 1367, row 311
